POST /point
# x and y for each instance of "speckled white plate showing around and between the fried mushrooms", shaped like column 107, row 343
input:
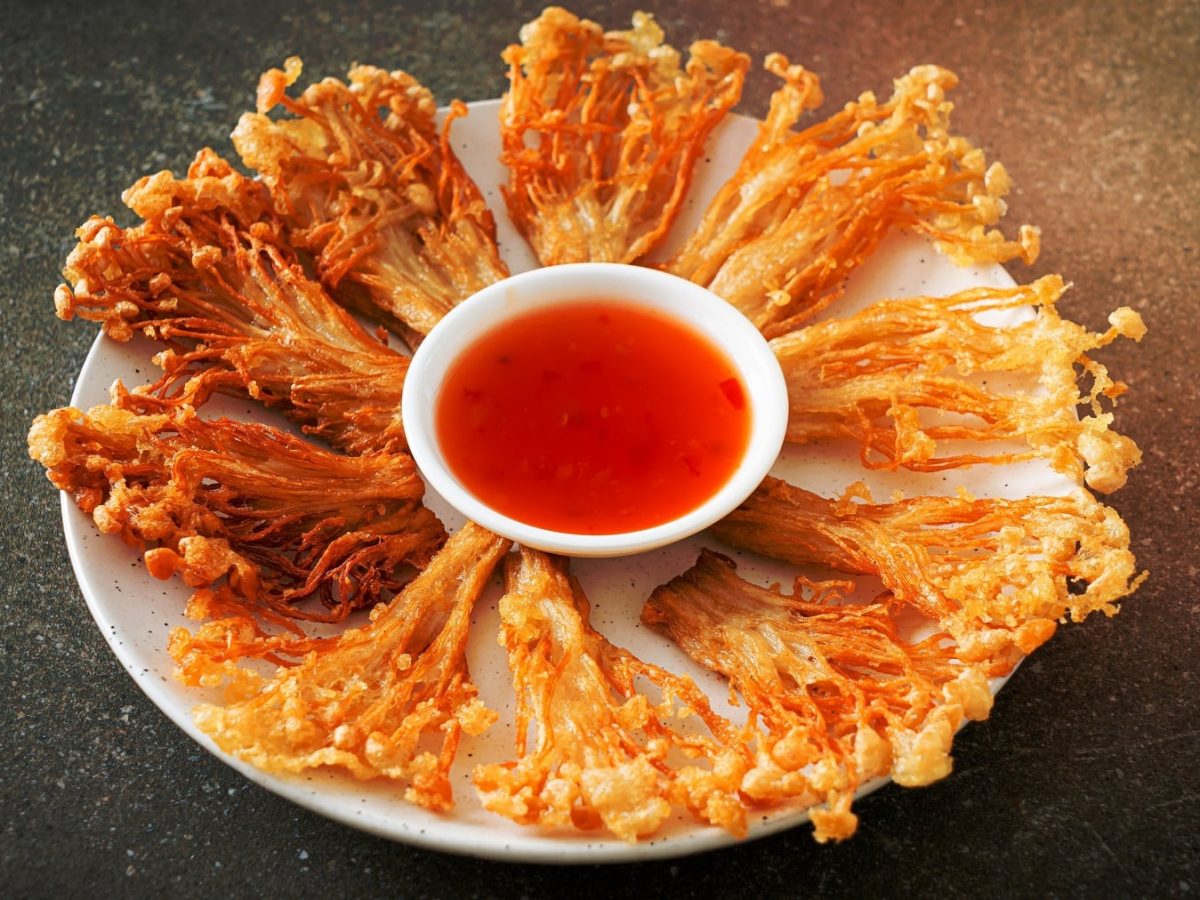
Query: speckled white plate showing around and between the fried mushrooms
column 135, row 613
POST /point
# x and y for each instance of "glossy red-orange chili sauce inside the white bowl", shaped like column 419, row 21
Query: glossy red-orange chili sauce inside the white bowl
column 593, row 418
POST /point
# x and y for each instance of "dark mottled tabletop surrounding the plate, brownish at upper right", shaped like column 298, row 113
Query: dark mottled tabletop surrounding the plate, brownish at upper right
column 1085, row 779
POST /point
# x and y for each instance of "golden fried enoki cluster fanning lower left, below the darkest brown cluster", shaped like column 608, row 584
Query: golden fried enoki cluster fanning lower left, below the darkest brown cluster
column 364, row 703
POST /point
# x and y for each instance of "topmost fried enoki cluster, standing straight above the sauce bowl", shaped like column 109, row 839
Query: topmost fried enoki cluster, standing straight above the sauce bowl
column 602, row 133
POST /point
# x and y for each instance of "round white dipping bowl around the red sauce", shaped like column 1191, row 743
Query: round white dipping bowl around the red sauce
column 689, row 304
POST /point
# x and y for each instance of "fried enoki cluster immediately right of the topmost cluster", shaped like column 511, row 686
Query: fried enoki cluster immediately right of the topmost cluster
column 806, row 208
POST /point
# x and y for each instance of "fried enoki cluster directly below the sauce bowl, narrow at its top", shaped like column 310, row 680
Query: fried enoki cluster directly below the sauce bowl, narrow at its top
column 602, row 752
